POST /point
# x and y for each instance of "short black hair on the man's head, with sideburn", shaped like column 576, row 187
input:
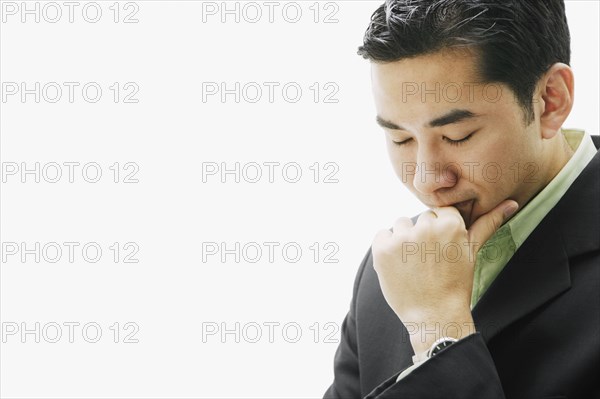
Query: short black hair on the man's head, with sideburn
column 517, row 40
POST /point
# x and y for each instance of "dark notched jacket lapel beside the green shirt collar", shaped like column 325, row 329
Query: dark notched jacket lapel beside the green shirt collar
column 539, row 270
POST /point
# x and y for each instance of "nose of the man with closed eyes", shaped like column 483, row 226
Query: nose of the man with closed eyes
column 432, row 172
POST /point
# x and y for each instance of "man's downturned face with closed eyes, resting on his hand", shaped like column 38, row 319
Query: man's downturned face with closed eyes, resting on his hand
column 430, row 103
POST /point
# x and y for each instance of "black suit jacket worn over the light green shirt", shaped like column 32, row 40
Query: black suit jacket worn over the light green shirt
column 538, row 324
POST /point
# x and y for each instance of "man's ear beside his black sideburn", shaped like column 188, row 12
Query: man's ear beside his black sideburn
column 556, row 90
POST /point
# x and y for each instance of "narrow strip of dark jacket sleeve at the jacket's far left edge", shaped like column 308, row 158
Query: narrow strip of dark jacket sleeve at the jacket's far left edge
column 346, row 382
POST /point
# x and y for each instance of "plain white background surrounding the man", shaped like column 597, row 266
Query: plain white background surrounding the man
column 171, row 294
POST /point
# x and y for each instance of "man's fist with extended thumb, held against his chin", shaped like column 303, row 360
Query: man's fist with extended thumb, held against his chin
column 426, row 271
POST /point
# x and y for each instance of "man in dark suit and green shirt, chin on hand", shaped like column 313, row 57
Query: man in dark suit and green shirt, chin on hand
column 472, row 95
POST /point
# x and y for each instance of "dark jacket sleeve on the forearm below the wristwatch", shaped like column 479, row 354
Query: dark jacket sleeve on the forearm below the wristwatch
column 465, row 370
